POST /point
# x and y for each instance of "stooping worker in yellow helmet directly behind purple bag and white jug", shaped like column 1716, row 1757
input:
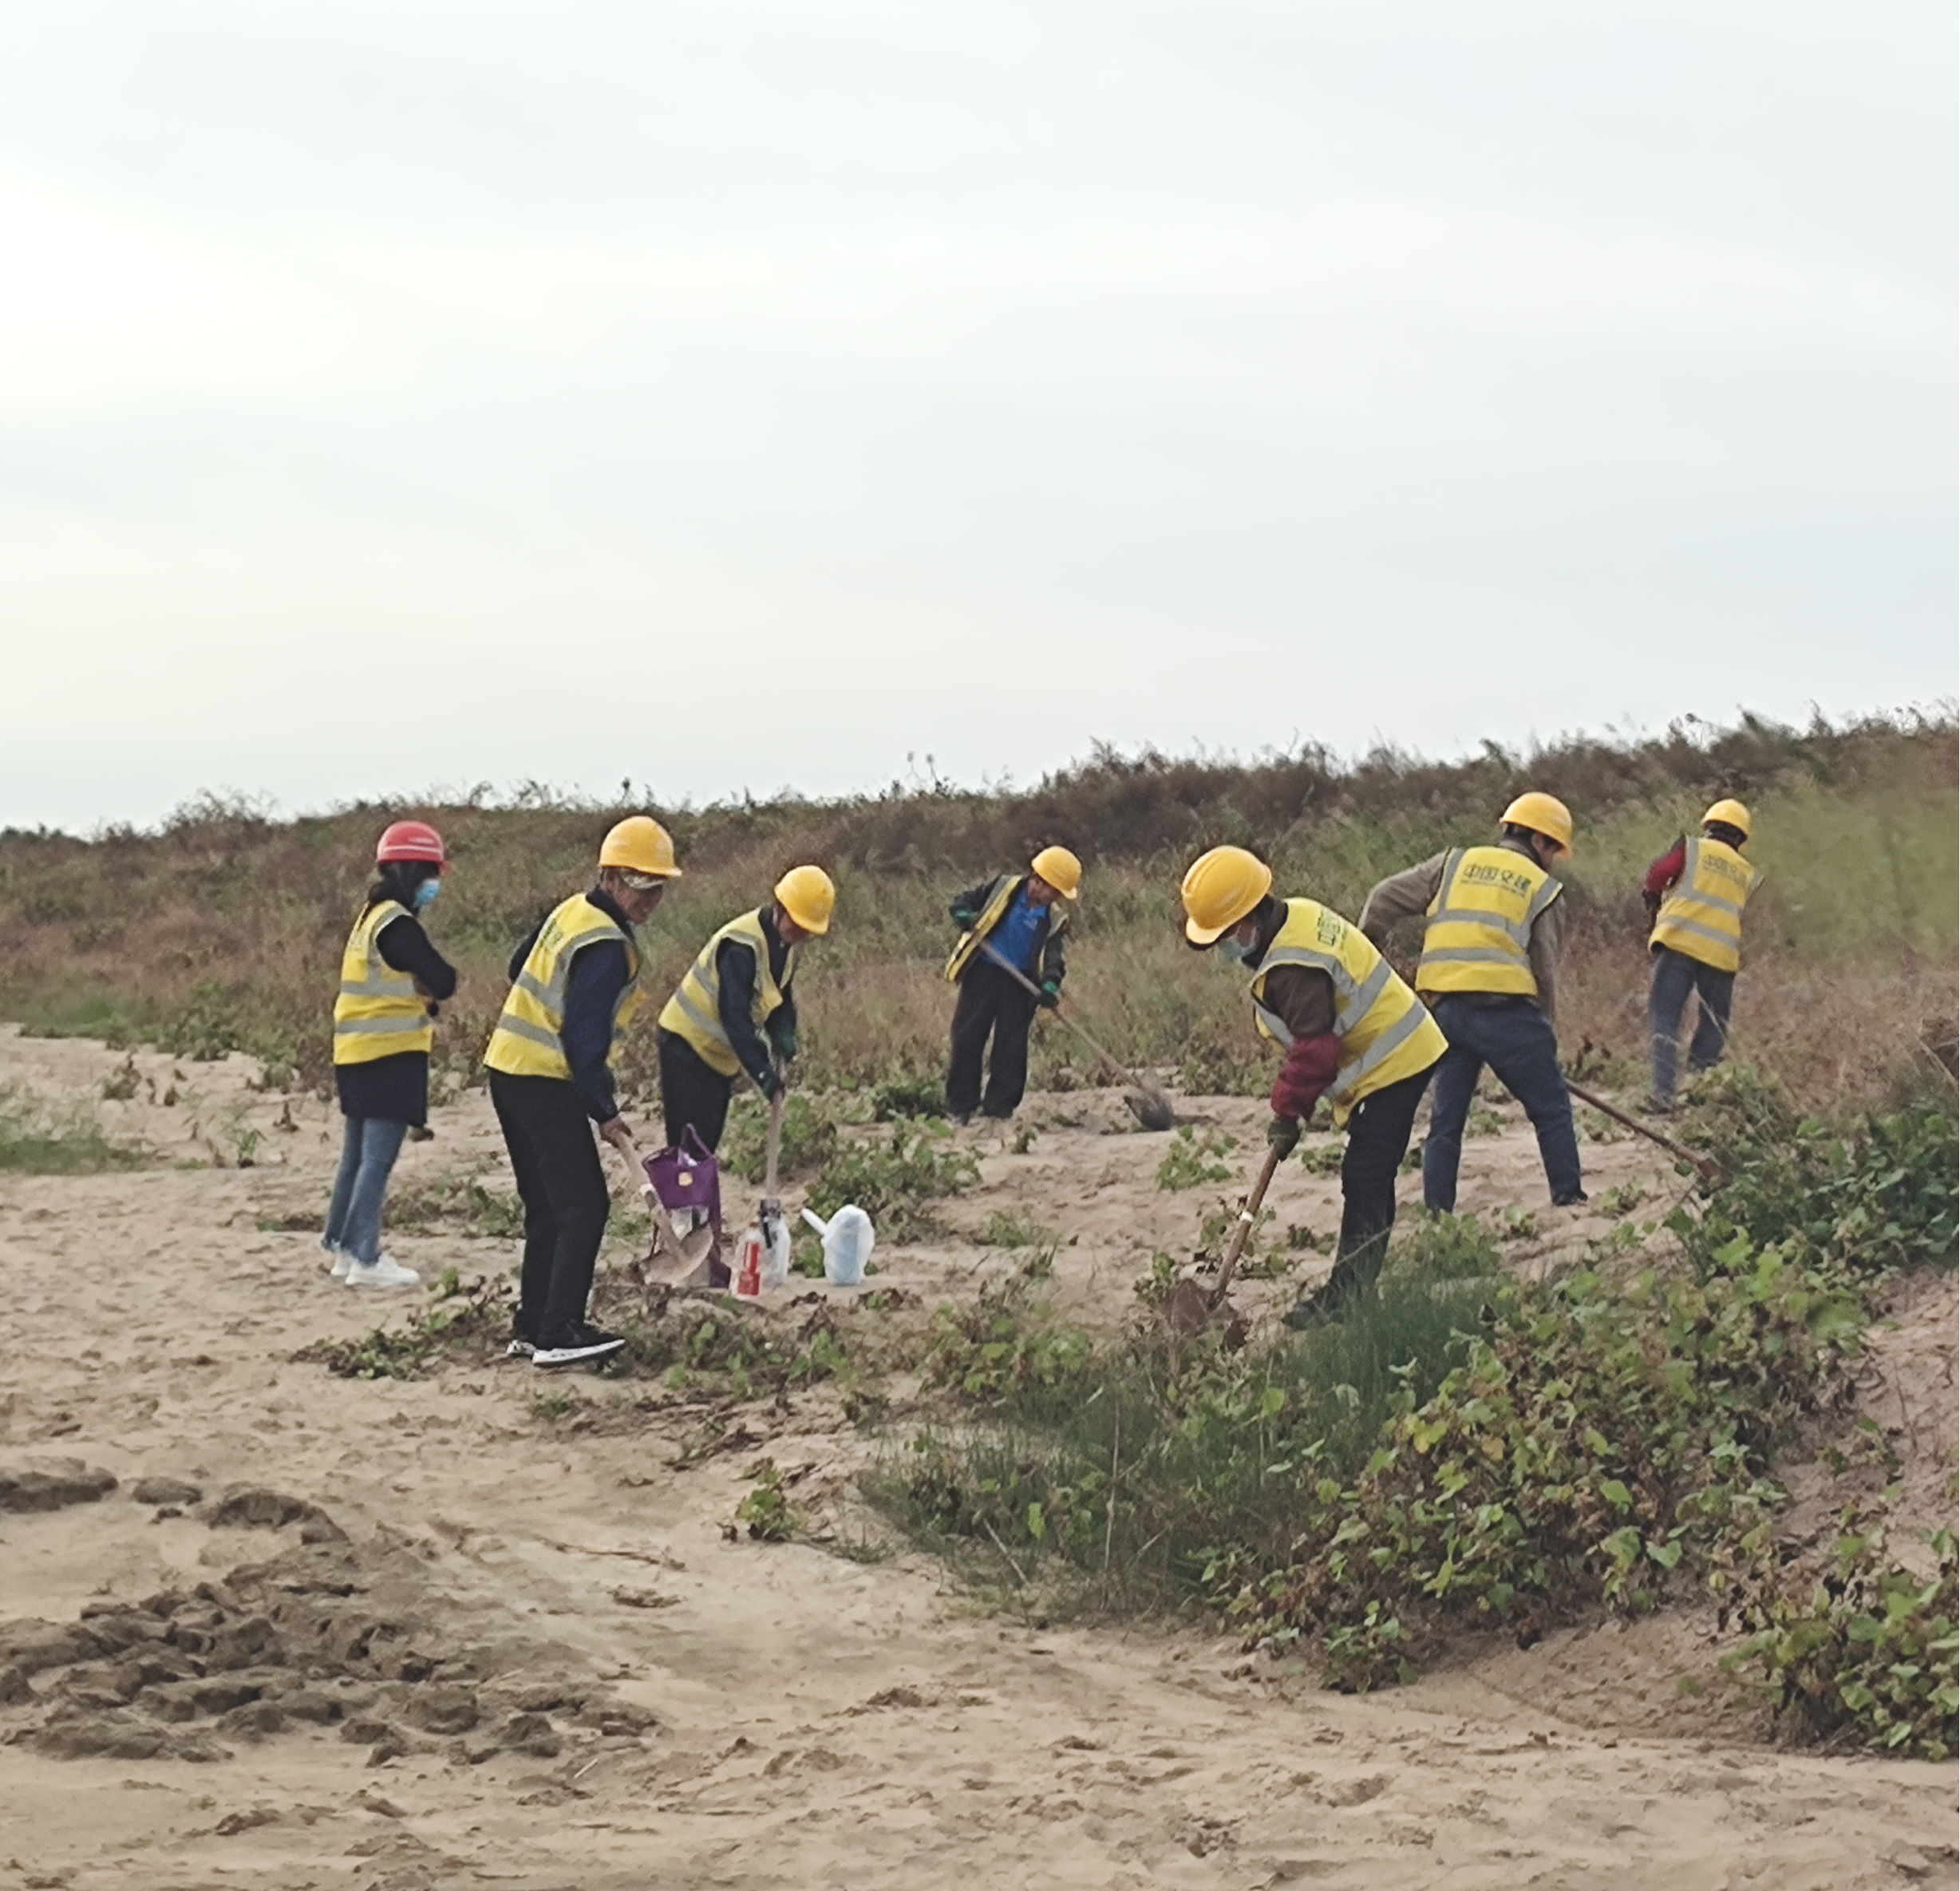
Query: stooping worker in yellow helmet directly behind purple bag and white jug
column 734, row 1012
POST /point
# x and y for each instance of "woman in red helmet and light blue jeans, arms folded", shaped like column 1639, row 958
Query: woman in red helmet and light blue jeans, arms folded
column 383, row 1032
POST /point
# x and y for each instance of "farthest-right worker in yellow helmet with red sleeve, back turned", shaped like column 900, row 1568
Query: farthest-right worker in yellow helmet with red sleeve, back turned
column 1694, row 897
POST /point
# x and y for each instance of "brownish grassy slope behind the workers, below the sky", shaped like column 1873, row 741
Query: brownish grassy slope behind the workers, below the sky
column 224, row 928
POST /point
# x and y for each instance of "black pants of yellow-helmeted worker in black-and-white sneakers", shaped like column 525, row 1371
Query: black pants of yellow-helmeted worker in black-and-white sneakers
column 563, row 1190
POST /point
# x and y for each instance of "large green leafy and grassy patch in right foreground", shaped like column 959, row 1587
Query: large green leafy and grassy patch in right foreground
column 1473, row 1451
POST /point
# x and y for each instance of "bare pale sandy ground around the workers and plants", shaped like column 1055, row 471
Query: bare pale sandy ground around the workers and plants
column 648, row 1704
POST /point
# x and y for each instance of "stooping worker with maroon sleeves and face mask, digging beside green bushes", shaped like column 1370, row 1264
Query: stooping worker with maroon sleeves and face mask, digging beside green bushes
column 1351, row 1030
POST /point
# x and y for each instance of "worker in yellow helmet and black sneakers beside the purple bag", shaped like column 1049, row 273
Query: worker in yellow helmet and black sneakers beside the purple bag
column 575, row 989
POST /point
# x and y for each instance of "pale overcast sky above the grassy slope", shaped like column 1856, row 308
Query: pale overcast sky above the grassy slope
column 742, row 397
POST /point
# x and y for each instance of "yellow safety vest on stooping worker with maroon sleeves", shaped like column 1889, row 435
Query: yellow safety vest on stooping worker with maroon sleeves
column 1387, row 1034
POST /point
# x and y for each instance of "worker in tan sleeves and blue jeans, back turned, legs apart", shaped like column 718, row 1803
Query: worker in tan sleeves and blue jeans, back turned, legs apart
column 1491, row 969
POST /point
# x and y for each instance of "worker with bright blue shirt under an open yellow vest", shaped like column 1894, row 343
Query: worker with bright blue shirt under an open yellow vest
column 1008, row 963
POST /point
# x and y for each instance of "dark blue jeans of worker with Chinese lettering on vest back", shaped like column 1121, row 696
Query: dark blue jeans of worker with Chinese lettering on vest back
column 1516, row 1040
